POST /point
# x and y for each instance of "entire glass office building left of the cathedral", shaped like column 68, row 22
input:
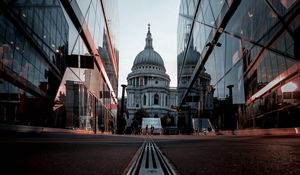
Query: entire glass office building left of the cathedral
column 54, row 69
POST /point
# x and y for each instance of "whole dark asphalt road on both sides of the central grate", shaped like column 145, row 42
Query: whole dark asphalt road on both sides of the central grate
column 23, row 153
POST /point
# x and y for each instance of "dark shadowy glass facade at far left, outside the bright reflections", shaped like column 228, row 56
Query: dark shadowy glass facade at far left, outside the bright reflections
column 33, row 46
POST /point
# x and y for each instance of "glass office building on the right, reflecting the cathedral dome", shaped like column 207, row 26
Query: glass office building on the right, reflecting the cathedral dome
column 250, row 49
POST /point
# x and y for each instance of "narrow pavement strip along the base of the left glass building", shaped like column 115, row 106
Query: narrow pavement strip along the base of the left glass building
column 38, row 129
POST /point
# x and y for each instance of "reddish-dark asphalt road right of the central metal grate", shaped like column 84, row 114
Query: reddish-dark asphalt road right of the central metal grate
column 232, row 154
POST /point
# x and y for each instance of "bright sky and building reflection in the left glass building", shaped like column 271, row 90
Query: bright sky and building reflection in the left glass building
column 90, row 82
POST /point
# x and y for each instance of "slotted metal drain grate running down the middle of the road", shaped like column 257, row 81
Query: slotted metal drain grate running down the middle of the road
column 150, row 160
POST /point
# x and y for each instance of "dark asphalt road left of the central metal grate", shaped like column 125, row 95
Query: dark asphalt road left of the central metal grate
column 66, row 154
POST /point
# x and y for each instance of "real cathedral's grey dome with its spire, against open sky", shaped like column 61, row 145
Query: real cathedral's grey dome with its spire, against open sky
column 148, row 56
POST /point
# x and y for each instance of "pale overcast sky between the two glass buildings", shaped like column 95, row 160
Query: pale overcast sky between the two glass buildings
column 134, row 17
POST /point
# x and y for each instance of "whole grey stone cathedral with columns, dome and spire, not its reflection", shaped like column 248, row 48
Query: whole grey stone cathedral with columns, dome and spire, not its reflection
column 149, row 85
